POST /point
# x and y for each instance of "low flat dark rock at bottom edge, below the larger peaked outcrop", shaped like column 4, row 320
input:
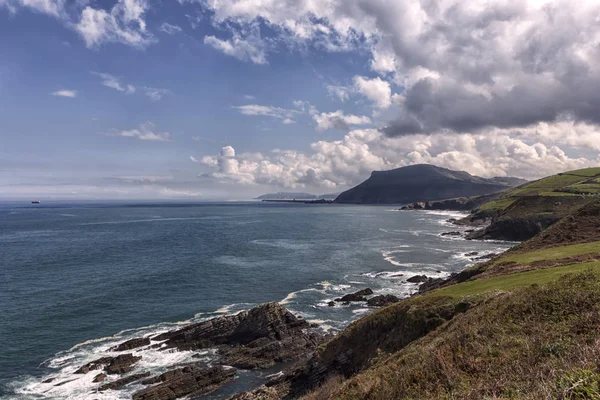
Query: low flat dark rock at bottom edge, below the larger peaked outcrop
column 186, row 381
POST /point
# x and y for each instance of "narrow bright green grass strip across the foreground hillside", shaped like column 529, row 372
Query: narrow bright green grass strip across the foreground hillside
column 512, row 281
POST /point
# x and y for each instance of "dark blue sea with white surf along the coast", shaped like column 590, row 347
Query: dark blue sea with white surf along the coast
column 78, row 278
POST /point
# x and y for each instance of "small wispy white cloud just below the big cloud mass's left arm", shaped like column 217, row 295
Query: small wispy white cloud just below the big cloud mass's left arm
column 246, row 48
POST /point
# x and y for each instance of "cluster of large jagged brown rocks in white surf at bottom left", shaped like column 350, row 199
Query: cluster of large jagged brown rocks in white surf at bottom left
column 257, row 338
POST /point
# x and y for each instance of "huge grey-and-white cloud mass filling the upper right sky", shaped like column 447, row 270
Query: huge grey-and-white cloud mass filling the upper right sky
column 465, row 66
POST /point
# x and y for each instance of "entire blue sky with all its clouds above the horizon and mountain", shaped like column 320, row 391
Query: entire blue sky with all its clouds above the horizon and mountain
column 229, row 99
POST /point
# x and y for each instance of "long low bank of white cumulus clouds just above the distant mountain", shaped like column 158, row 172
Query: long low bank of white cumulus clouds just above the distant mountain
column 346, row 162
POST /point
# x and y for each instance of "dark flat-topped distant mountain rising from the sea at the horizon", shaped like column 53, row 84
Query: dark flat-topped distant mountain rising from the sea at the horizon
column 422, row 182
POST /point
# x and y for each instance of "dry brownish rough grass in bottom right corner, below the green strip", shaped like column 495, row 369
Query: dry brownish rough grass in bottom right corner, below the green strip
column 536, row 342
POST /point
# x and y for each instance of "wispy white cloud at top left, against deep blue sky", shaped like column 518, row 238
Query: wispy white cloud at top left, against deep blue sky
column 124, row 23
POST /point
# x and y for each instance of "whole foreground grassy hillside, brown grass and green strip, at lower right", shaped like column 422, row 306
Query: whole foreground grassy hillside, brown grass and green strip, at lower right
column 525, row 335
